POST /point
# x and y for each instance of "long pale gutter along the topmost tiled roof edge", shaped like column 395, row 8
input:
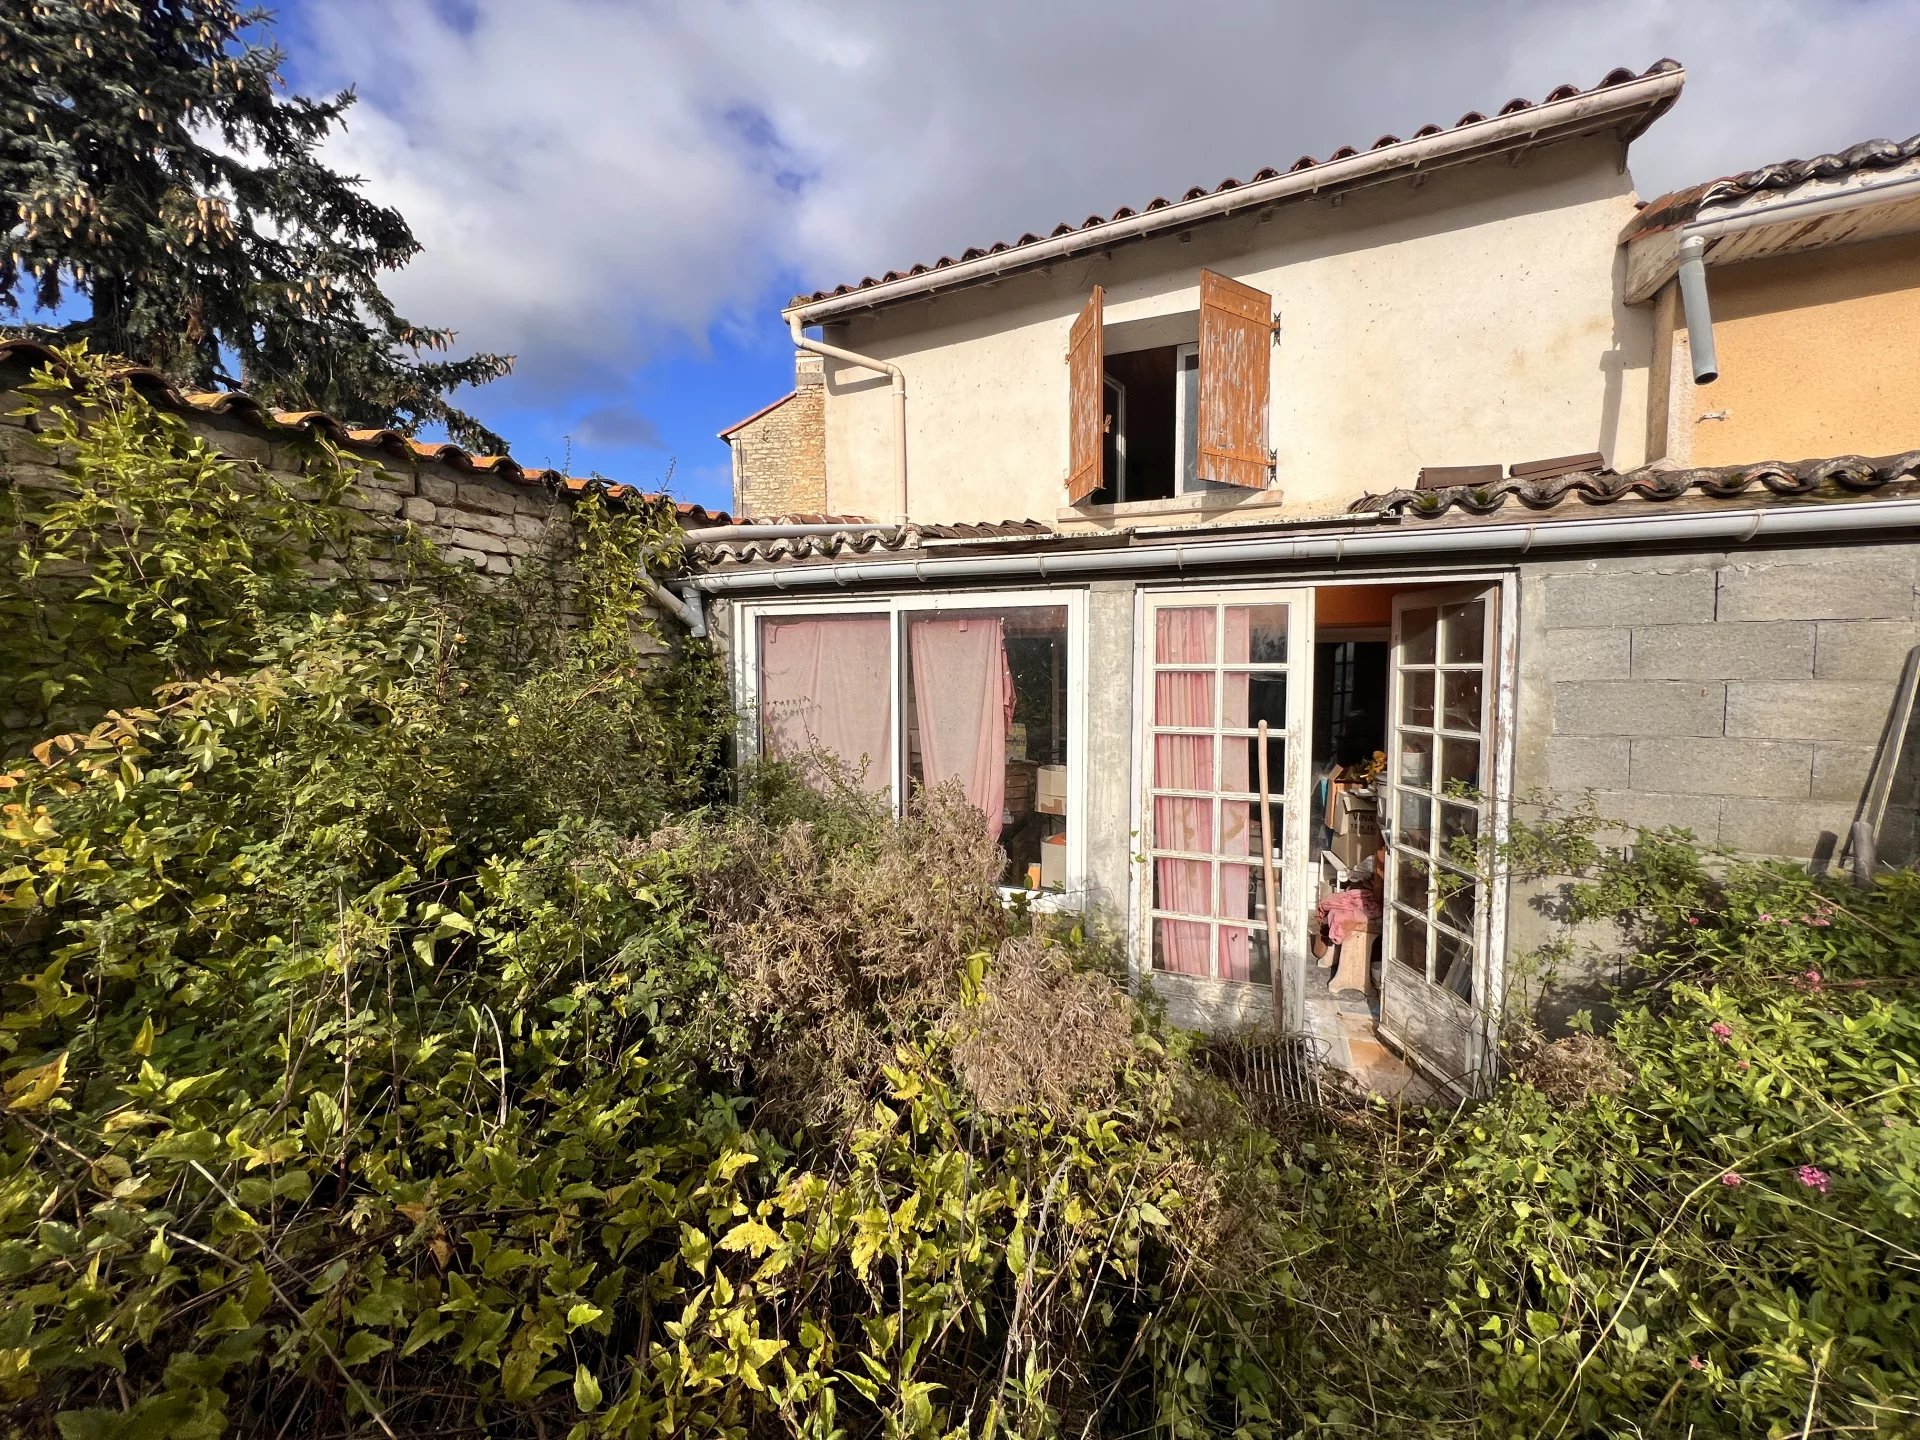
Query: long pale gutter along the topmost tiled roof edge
column 1491, row 137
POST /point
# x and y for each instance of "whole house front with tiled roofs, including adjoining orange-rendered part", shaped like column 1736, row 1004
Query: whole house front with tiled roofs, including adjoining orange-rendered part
column 1151, row 531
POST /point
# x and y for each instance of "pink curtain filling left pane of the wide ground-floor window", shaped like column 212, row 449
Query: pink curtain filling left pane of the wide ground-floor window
column 827, row 688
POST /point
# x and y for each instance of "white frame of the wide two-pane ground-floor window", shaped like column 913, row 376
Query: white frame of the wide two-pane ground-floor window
column 748, row 686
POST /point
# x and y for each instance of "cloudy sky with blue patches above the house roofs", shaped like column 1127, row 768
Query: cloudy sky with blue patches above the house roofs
column 592, row 180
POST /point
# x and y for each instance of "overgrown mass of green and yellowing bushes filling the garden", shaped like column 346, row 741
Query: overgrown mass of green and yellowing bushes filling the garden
column 402, row 1038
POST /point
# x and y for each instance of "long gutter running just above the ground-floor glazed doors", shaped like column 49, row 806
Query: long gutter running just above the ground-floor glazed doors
column 1479, row 542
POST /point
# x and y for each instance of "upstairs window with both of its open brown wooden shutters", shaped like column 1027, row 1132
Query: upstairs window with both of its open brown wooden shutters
column 1149, row 423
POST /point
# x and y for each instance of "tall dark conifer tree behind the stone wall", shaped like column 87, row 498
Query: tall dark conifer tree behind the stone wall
column 155, row 166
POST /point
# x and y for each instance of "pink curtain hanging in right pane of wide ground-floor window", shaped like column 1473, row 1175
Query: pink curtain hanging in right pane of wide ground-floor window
column 965, row 708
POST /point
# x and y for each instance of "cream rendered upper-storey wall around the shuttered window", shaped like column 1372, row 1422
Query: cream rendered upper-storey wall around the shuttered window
column 1464, row 322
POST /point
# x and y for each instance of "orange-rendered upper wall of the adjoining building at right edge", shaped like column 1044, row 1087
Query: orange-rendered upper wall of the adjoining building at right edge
column 1819, row 356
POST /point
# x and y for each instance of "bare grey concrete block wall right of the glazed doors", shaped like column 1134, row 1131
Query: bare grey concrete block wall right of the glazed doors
column 1739, row 694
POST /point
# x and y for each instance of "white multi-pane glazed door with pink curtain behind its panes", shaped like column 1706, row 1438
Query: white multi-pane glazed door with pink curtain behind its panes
column 1218, row 663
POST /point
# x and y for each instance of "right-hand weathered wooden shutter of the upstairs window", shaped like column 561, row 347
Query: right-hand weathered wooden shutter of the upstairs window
column 1236, row 379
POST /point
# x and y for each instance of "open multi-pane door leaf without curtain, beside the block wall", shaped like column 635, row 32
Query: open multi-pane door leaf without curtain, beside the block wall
column 1437, row 965
